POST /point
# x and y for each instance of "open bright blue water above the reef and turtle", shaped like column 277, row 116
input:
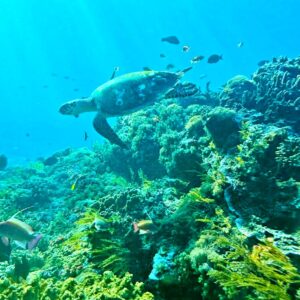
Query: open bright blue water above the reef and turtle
column 57, row 50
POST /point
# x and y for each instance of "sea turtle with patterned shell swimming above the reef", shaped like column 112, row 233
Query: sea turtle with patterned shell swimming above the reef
column 123, row 95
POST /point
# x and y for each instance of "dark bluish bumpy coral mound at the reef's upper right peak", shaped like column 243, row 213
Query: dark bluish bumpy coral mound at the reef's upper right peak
column 273, row 91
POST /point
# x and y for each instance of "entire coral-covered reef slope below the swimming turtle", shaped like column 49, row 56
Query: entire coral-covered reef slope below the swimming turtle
column 218, row 176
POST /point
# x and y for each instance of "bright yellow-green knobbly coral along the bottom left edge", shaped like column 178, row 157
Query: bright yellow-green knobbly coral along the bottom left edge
column 86, row 286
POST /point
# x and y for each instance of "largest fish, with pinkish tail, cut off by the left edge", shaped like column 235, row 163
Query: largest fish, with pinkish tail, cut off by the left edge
column 20, row 232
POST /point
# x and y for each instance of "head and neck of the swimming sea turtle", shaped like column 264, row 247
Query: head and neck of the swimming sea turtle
column 77, row 106
